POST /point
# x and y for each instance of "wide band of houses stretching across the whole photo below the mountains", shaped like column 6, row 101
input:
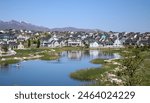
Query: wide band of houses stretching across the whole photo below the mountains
column 61, row 39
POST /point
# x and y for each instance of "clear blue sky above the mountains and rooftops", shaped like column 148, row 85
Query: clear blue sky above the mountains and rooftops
column 115, row 15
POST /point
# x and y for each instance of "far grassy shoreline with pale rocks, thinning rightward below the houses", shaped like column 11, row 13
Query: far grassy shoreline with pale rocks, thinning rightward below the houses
column 43, row 53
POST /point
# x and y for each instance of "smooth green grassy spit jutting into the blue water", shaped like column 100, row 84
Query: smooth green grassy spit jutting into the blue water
column 93, row 73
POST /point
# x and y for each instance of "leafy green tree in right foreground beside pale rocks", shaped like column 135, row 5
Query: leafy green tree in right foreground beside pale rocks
column 132, row 69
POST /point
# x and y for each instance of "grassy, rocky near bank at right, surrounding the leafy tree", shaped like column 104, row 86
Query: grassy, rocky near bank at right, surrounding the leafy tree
column 109, row 74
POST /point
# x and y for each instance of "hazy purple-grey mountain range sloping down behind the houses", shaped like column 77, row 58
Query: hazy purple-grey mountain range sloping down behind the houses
column 13, row 24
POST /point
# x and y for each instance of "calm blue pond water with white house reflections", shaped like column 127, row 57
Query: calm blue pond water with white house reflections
column 50, row 73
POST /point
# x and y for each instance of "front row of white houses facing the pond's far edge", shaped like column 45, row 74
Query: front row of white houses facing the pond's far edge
column 101, row 40
